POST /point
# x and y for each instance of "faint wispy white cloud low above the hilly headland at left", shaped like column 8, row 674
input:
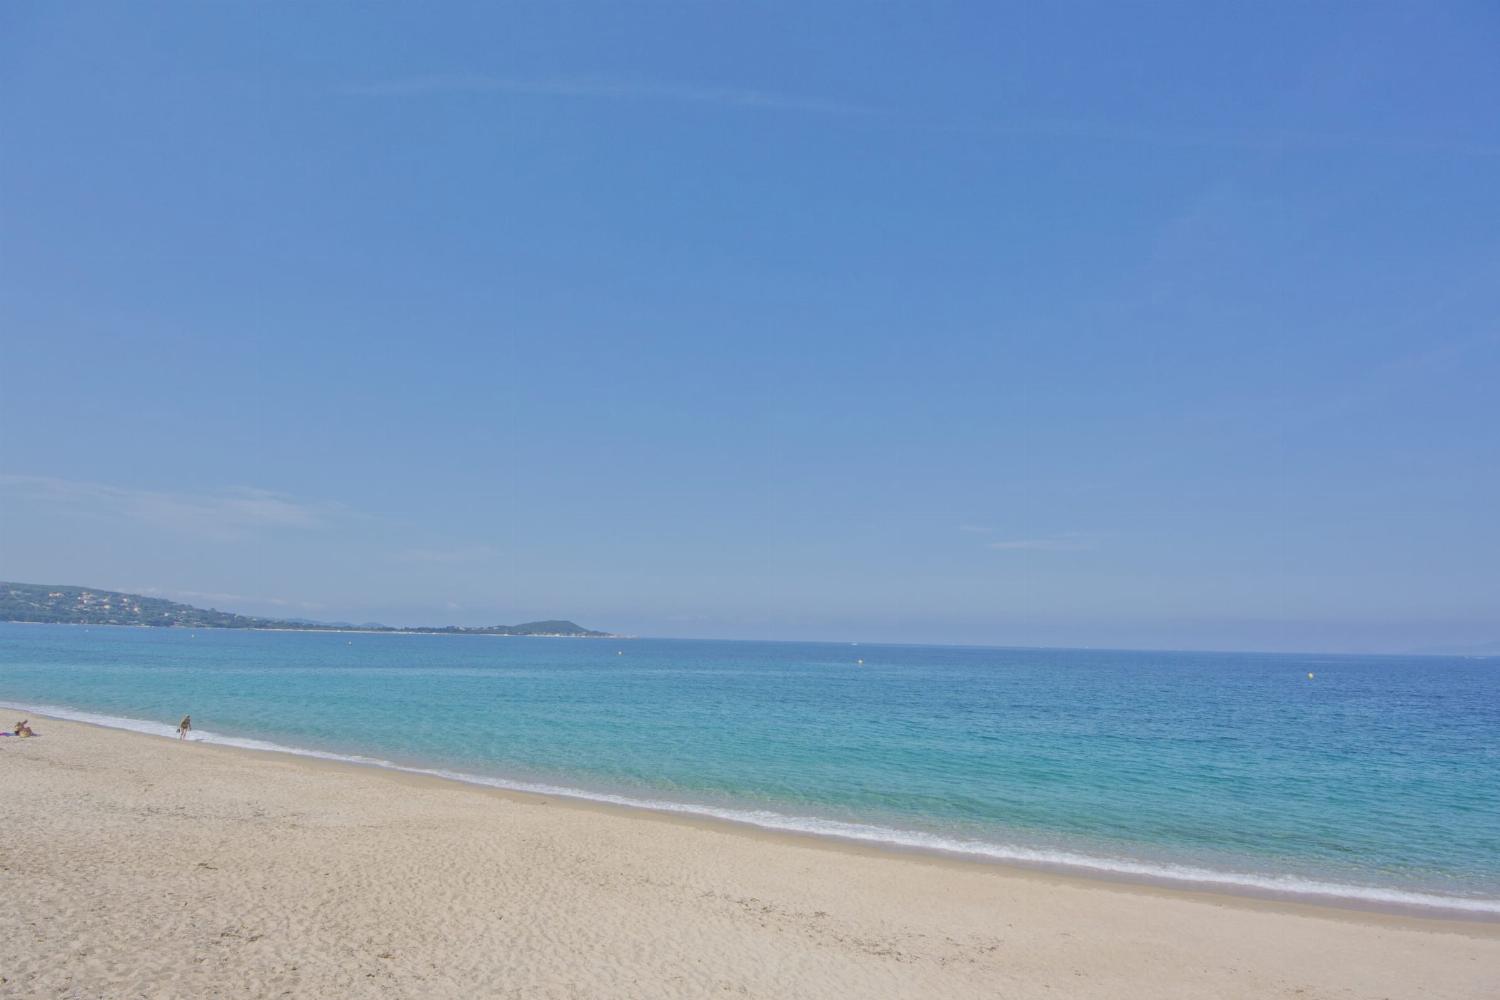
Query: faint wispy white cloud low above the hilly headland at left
column 226, row 513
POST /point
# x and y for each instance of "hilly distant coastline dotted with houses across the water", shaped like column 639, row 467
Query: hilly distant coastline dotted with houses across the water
column 44, row 605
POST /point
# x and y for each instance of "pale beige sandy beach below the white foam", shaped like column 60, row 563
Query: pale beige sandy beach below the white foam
column 140, row 867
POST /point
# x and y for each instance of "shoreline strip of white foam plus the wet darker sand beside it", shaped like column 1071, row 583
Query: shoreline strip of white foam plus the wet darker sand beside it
column 877, row 840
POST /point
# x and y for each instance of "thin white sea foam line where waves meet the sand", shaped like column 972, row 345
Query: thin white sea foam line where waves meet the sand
column 863, row 833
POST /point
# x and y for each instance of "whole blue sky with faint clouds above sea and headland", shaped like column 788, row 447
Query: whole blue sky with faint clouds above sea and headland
column 1153, row 326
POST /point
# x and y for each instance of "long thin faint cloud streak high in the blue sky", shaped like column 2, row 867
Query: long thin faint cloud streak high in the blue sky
column 593, row 89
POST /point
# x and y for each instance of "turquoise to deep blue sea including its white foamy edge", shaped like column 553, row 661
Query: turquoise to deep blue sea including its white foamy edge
column 1378, row 780
